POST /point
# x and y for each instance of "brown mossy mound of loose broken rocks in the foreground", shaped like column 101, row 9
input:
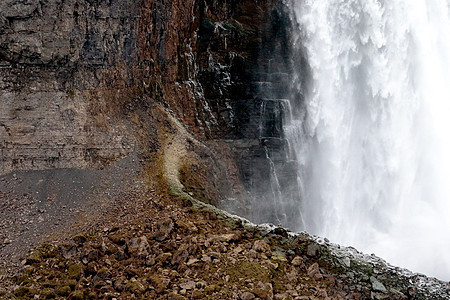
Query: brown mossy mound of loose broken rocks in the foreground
column 178, row 248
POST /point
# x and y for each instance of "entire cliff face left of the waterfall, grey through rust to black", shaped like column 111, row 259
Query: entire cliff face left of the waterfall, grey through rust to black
column 78, row 78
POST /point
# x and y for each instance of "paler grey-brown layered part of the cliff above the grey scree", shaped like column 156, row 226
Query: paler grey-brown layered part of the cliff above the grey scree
column 64, row 72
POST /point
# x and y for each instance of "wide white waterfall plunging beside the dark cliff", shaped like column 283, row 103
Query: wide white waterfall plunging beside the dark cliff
column 374, row 144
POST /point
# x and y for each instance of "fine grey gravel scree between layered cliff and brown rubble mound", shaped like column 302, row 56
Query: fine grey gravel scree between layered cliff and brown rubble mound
column 37, row 204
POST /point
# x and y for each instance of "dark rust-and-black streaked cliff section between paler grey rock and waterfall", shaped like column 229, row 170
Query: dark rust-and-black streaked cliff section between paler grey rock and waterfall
column 201, row 57
